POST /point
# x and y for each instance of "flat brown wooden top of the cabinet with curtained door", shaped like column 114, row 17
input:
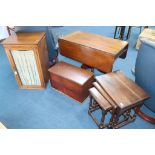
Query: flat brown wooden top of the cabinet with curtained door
column 24, row 38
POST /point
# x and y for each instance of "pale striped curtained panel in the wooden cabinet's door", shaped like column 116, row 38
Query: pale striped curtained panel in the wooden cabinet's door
column 26, row 67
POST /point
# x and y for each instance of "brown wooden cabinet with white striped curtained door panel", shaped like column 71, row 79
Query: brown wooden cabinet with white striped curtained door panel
column 28, row 56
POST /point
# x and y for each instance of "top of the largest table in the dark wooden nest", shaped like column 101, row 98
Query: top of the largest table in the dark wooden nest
column 123, row 91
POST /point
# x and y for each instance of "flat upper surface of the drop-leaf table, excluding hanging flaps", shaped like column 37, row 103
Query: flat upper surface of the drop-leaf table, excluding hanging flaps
column 101, row 43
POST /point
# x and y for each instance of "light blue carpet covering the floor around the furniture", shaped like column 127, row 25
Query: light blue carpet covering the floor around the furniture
column 48, row 108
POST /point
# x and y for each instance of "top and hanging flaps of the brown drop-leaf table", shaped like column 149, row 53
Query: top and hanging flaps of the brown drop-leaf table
column 93, row 50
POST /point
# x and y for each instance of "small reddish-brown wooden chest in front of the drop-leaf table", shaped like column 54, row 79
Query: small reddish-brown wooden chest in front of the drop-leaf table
column 72, row 81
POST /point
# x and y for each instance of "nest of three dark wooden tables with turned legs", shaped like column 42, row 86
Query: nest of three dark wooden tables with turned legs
column 116, row 94
